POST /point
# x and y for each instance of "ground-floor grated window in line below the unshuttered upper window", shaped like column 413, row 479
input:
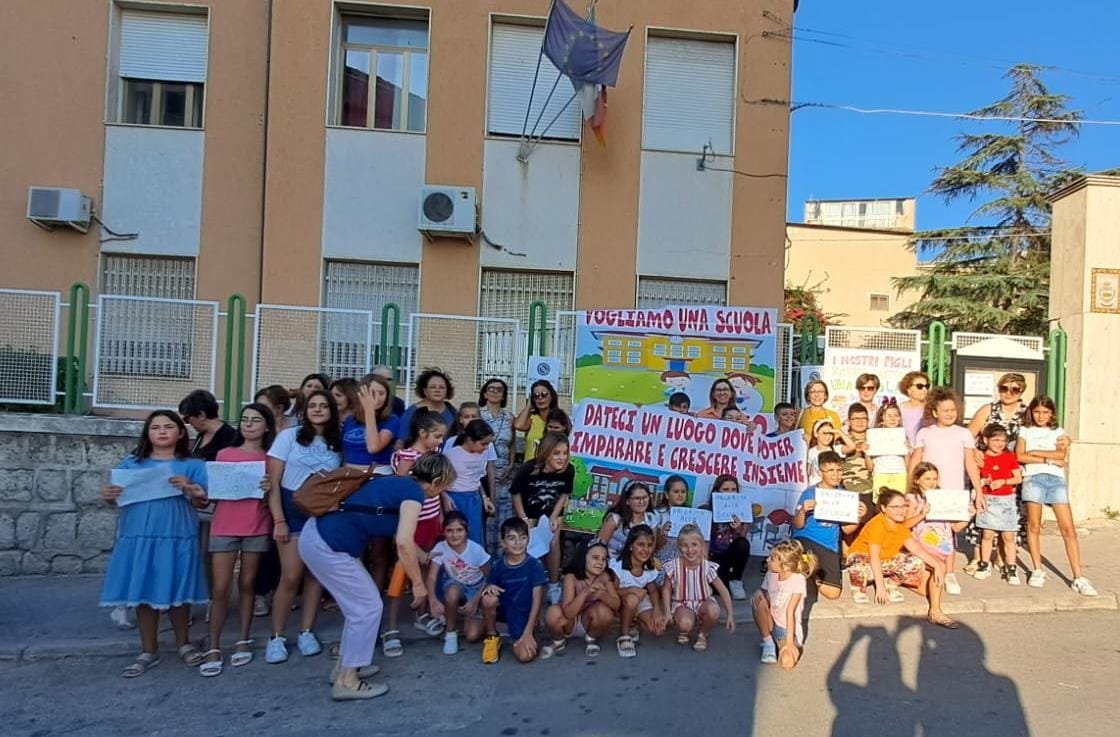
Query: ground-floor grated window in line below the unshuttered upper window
column 357, row 285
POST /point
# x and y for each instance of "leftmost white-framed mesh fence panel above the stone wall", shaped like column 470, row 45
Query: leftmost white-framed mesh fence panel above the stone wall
column 30, row 347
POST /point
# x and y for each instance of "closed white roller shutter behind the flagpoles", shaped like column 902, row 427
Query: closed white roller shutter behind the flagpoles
column 515, row 51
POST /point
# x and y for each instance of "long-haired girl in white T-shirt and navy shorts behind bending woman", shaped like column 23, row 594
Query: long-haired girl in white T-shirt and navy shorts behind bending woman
column 298, row 453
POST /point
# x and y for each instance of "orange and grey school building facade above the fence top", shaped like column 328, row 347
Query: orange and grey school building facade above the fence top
column 351, row 154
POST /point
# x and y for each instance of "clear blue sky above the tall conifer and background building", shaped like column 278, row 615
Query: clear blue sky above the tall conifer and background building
column 939, row 57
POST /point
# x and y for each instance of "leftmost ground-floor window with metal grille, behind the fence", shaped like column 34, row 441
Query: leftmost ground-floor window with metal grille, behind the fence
column 150, row 338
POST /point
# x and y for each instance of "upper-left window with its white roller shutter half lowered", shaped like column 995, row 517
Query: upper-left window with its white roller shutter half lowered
column 163, row 69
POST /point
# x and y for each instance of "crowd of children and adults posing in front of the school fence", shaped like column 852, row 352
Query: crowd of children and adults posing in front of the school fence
column 456, row 500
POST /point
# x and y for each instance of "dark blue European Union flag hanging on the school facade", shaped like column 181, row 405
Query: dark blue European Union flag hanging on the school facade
column 581, row 50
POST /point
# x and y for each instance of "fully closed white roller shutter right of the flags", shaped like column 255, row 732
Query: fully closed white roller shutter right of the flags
column 689, row 96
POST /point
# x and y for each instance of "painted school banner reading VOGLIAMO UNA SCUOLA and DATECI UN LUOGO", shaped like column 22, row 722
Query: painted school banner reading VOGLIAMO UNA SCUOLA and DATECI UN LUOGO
column 630, row 362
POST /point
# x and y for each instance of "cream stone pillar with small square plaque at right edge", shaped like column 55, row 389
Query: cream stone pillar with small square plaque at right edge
column 1082, row 301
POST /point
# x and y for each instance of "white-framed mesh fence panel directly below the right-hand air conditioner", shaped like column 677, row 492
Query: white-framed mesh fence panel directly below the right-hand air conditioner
column 470, row 350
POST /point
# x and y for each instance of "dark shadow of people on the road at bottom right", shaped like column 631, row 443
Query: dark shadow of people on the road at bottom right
column 957, row 695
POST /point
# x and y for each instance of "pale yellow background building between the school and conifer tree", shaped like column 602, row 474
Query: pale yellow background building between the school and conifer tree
column 851, row 250
